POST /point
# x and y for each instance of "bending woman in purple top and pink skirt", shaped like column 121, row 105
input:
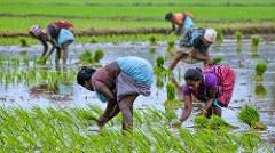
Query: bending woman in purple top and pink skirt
column 213, row 85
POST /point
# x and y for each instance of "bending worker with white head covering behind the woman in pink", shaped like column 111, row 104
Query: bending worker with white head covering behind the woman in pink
column 196, row 46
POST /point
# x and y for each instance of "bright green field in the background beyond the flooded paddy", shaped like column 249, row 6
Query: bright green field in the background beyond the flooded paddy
column 18, row 16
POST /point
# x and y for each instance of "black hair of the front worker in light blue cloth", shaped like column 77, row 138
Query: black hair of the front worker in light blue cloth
column 85, row 74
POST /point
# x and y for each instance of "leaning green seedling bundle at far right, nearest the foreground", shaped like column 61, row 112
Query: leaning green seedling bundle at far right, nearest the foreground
column 251, row 116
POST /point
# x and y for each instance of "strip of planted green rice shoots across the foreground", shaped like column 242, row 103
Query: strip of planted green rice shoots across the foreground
column 66, row 129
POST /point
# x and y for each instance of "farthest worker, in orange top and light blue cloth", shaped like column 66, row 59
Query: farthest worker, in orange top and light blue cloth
column 181, row 22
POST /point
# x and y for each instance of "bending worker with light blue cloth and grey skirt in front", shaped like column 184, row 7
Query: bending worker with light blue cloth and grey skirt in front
column 118, row 84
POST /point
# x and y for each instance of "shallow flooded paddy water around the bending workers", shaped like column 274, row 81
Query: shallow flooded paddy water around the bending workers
column 247, row 89
